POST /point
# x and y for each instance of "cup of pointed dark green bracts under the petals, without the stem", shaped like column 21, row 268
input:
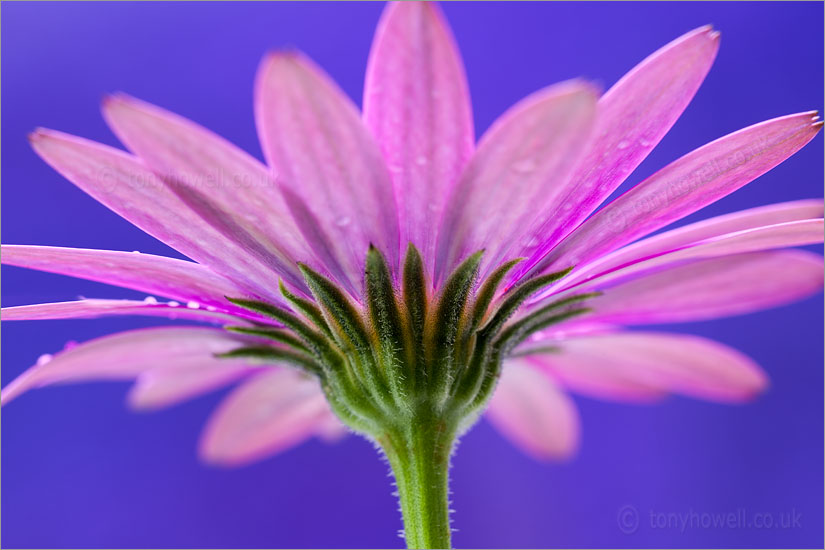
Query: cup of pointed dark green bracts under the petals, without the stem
column 405, row 355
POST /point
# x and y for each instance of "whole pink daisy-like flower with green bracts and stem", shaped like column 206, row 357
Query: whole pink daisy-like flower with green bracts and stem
column 385, row 273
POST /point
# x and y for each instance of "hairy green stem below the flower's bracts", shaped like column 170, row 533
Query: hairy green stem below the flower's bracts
column 419, row 454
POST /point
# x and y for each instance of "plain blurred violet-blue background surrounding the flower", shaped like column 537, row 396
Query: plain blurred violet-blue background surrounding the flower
column 81, row 471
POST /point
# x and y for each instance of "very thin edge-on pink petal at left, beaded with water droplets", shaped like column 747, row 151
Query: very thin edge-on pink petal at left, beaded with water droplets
column 90, row 309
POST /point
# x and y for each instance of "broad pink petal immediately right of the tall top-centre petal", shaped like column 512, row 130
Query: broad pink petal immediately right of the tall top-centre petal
column 518, row 170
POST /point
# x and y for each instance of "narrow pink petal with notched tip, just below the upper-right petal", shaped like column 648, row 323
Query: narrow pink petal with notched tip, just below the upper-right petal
column 686, row 185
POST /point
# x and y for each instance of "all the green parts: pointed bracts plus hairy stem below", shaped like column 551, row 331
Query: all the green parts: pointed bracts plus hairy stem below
column 409, row 366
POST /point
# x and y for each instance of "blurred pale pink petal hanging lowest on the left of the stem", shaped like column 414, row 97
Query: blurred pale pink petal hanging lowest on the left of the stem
column 273, row 411
